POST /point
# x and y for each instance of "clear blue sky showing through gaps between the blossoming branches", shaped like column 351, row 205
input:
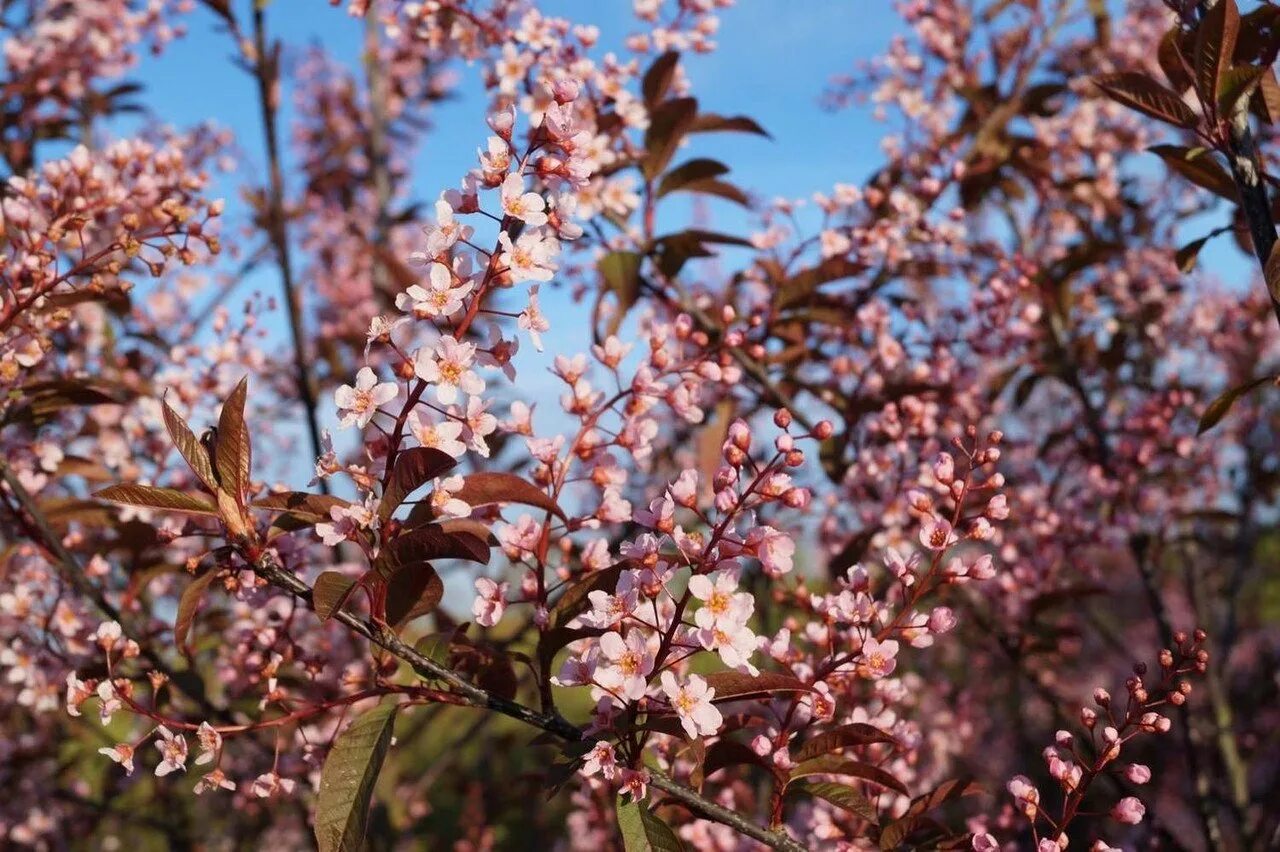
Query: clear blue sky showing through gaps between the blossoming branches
column 772, row 65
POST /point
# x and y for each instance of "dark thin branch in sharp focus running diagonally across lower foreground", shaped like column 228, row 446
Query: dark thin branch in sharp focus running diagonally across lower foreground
column 271, row 570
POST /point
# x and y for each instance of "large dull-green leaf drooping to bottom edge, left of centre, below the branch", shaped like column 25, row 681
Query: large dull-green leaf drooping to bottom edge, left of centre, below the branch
column 349, row 777
